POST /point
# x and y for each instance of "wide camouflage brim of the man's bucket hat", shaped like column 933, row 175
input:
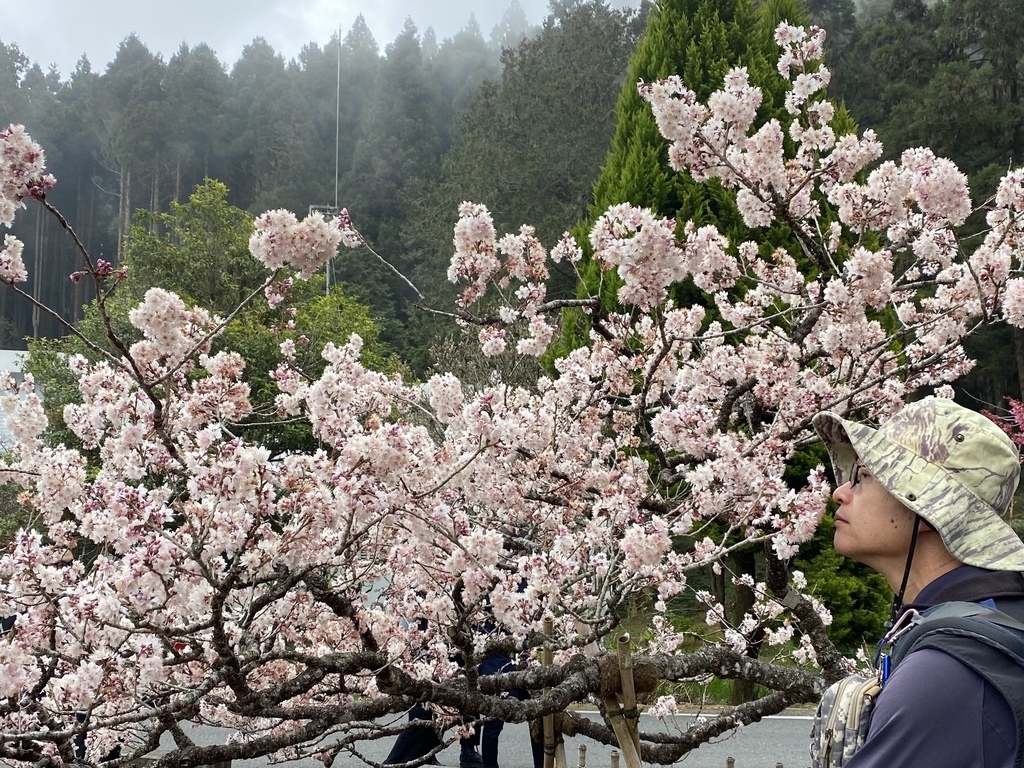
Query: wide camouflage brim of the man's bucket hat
column 972, row 531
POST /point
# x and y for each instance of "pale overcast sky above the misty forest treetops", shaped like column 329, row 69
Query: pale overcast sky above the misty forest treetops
column 61, row 31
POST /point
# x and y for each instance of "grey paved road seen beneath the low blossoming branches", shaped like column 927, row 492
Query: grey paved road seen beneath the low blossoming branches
column 783, row 739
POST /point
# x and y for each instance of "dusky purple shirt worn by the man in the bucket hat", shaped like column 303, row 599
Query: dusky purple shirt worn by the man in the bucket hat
column 938, row 713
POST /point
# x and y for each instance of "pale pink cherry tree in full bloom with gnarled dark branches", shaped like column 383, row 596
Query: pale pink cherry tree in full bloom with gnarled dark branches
column 309, row 601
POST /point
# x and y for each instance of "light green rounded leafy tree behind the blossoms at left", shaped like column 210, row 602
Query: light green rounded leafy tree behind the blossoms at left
column 200, row 251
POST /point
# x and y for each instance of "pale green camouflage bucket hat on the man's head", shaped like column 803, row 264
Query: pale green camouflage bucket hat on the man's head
column 949, row 464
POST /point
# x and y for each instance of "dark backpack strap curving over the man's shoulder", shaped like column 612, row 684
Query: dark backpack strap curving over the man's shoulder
column 987, row 641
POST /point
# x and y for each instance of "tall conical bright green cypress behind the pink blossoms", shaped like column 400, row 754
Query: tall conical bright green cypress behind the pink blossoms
column 701, row 40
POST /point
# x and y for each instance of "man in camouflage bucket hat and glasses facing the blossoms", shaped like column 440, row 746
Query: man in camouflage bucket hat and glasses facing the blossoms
column 922, row 501
